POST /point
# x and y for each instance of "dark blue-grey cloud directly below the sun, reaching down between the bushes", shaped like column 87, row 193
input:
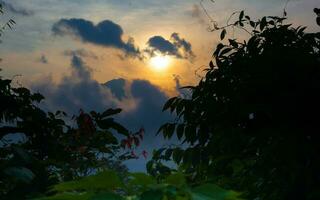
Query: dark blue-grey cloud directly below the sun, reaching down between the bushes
column 148, row 114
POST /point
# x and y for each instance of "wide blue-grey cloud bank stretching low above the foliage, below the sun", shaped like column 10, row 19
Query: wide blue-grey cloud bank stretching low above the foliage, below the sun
column 80, row 90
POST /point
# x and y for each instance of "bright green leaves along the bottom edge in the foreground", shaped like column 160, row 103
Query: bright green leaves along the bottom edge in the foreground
column 138, row 186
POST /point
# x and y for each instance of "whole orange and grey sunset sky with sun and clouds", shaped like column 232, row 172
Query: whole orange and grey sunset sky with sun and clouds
column 132, row 54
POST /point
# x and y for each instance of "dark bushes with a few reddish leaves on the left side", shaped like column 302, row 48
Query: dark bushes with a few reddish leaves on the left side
column 52, row 150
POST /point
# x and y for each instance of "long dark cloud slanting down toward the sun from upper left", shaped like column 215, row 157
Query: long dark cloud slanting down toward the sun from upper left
column 106, row 33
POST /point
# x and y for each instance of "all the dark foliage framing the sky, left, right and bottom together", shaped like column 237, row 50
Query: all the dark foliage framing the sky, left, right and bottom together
column 251, row 125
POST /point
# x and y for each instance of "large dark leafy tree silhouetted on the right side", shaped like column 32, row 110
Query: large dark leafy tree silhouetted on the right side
column 252, row 122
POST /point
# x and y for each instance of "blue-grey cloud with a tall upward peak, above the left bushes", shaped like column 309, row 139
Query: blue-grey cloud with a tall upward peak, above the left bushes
column 78, row 90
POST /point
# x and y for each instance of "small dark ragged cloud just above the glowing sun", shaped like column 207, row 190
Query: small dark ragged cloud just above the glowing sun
column 176, row 46
